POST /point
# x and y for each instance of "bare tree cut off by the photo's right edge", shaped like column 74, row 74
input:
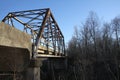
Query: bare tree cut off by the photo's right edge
column 116, row 31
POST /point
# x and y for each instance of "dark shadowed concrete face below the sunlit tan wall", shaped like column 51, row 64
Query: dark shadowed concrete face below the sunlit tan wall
column 13, row 59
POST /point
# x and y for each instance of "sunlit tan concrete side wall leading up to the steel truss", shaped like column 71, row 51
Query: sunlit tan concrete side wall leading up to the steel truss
column 10, row 36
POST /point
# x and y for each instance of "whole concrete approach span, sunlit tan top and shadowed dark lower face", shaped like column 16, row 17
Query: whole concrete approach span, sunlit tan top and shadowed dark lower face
column 15, row 48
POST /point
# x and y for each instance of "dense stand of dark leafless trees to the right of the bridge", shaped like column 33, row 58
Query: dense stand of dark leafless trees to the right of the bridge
column 94, row 50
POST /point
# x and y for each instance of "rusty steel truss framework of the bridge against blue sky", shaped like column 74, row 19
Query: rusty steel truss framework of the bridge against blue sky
column 42, row 27
